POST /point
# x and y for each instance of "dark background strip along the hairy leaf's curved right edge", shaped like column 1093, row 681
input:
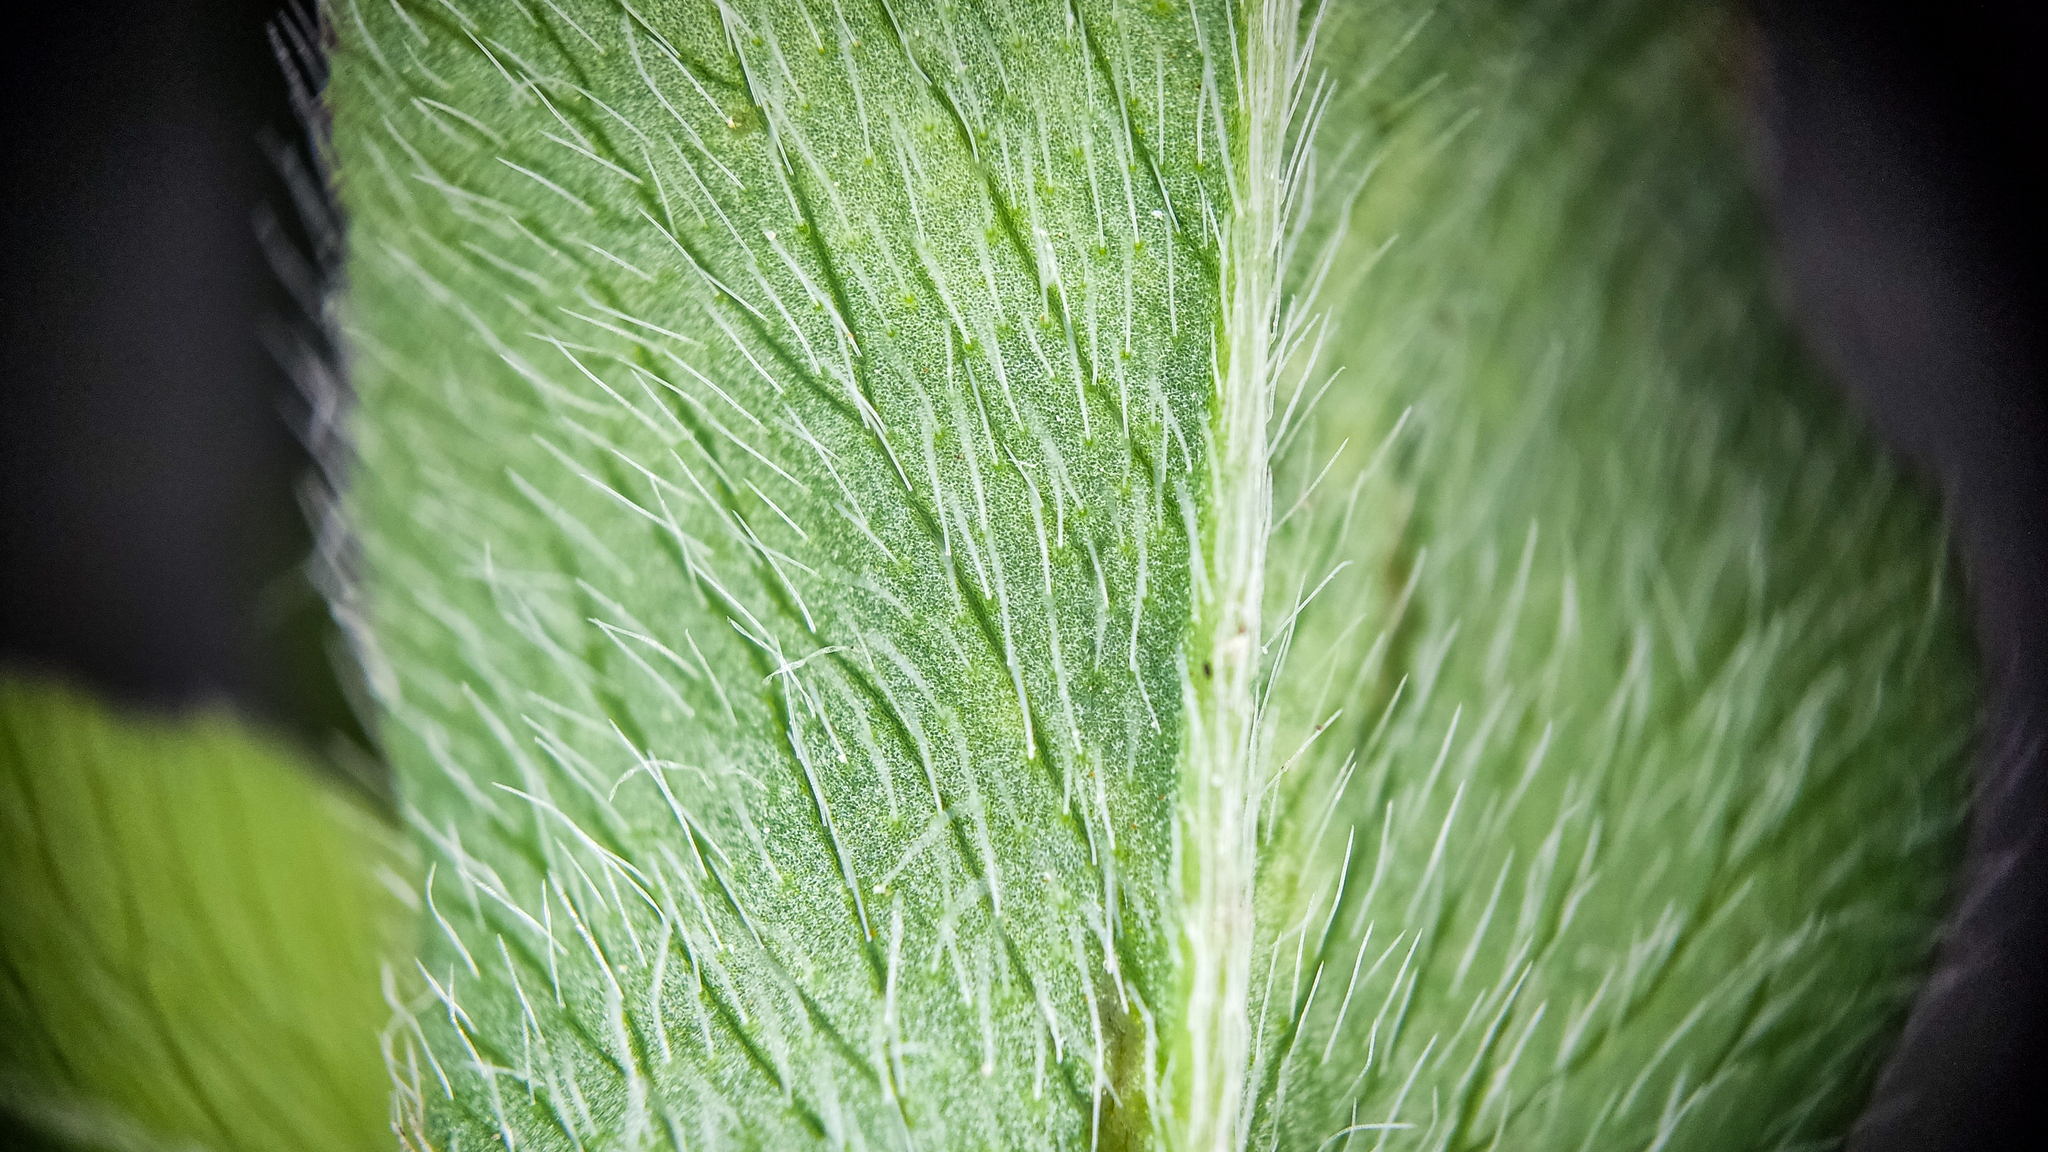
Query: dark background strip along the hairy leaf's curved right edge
column 1900, row 153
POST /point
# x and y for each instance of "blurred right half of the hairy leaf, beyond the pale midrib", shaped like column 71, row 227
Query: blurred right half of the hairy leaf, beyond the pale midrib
column 1601, row 753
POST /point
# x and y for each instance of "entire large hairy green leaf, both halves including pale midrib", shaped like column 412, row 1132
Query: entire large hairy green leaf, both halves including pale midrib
column 1111, row 575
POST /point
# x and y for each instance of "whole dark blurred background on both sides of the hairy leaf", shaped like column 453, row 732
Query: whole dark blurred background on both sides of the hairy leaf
column 153, row 534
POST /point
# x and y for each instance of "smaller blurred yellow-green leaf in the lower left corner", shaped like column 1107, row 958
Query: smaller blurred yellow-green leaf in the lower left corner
column 196, row 928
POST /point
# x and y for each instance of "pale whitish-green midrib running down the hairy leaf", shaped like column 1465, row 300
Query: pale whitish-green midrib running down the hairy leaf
column 1224, row 776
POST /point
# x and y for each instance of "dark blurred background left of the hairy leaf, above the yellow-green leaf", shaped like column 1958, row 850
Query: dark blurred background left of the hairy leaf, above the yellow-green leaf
column 151, row 528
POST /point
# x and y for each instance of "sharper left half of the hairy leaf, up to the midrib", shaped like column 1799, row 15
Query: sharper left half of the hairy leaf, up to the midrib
column 869, row 440
